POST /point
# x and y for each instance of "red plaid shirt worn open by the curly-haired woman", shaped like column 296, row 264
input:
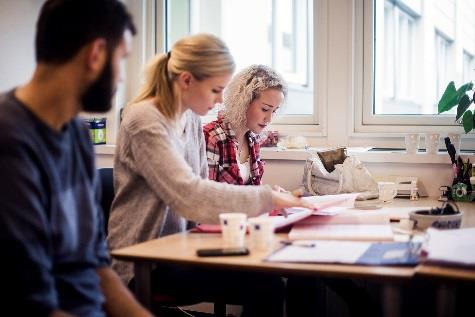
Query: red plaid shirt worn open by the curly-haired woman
column 221, row 148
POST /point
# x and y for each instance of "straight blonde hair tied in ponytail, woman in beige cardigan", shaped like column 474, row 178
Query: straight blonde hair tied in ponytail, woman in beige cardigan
column 203, row 55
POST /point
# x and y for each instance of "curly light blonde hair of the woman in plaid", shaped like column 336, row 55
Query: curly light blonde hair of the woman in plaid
column 244, row 88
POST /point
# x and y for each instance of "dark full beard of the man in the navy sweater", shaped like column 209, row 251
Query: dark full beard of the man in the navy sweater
column 98, row 97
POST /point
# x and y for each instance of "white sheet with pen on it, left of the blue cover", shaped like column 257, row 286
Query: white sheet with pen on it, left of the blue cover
column 322, row 252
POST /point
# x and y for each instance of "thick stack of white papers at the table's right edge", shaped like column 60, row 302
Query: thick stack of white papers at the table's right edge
column 452, row 246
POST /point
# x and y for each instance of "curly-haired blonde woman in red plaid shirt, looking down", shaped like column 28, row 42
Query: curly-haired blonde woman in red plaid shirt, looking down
column 232, row 141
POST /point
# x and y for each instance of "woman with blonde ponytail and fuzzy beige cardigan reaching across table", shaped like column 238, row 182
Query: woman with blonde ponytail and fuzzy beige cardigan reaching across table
column 160, row 167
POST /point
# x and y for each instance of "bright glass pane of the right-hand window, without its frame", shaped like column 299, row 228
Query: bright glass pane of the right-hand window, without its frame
column 417, row 52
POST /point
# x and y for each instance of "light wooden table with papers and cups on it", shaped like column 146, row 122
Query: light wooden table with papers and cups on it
column 180, row 249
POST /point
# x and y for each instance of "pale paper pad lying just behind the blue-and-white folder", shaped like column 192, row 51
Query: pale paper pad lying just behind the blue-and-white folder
column 341, row 232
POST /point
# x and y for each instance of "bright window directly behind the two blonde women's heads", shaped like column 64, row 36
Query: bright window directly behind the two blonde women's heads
column 282, row 37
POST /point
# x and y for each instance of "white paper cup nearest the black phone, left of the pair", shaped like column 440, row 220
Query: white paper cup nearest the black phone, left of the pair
column 233, row 228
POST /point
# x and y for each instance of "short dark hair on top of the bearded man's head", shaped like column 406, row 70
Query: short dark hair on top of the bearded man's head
column 65, row 26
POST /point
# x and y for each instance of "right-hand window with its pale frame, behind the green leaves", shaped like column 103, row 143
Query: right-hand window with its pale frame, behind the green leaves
column 409, row 52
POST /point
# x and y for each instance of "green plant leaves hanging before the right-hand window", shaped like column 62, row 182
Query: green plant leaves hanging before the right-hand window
column 462, row 99
